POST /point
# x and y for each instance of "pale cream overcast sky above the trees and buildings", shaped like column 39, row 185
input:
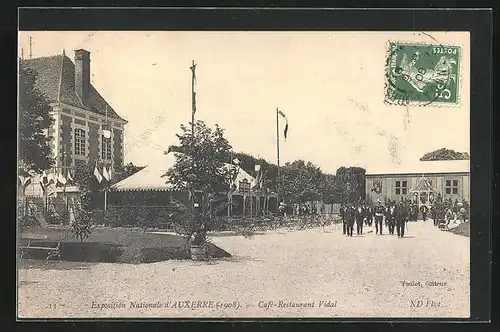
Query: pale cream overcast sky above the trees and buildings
column 329, row 84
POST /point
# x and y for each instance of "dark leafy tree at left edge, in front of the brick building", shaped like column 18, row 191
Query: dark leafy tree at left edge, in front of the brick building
column 34, row 118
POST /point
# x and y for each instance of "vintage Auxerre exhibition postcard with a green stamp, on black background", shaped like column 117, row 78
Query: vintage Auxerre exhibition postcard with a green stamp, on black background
column 169, row 174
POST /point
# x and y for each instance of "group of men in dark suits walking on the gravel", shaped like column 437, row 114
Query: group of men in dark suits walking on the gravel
column 393, row 214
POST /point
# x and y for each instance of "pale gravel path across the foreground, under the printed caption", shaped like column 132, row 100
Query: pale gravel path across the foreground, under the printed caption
column 309, row 273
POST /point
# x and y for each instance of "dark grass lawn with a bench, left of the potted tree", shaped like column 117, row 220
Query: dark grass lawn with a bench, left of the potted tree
column 119, row 245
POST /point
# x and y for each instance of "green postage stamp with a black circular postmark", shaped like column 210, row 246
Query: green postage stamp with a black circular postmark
column 422, row 74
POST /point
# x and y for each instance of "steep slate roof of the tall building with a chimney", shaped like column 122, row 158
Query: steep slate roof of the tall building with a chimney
column 56, row 80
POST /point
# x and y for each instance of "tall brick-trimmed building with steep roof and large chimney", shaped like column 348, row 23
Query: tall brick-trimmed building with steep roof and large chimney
column 86, row 127
